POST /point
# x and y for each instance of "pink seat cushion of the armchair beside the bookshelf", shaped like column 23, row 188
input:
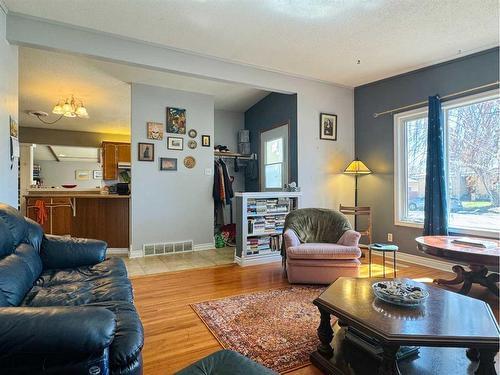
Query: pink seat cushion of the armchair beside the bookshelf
column 323, row 251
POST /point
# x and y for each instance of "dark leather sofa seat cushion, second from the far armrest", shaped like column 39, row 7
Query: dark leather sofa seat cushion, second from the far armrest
column 115, row 288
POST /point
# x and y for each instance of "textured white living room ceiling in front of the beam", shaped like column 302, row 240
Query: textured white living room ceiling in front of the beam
column 321, row 39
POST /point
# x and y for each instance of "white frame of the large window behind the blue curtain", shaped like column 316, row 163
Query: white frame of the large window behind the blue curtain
column 401, row 159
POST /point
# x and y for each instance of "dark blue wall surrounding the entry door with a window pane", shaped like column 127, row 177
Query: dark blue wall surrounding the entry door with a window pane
column 274, row 110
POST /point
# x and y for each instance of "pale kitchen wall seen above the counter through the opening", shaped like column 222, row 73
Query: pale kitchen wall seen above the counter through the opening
column 54, row 173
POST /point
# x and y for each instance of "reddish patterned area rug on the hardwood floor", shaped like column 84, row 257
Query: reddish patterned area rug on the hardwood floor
column 276, row 328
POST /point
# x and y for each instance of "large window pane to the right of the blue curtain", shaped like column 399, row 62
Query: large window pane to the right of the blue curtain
column 473, row 166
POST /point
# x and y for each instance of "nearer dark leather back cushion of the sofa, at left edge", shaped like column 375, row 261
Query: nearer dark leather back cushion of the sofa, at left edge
column 18, row 272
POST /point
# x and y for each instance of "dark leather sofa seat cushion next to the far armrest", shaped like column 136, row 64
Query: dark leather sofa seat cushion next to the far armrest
column 109, row 267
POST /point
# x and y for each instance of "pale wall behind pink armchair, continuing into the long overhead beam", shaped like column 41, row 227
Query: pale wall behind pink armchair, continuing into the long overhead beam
column 320, row 162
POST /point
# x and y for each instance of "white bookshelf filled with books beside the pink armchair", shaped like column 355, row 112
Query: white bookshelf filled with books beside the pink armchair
column 260, row 218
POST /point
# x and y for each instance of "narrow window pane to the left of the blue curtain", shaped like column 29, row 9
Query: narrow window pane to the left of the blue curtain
column 416, row 151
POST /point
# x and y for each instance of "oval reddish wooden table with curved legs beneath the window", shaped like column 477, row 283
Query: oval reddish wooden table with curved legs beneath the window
column 477, row 259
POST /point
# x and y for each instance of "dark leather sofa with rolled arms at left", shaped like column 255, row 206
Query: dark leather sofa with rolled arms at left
column 64, row 308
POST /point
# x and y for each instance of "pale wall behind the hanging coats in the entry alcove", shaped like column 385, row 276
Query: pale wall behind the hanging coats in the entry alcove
column 226, row 126
